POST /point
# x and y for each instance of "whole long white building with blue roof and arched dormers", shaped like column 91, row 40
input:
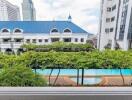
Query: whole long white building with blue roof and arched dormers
column 13, row 34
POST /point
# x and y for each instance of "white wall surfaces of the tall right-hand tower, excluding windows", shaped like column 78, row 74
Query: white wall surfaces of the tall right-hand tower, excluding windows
column 105, row 37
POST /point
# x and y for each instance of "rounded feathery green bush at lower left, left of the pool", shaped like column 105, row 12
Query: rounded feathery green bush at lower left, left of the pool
column 20, row 76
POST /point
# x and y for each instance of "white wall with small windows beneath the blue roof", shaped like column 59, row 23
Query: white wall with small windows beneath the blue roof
column 16, row 45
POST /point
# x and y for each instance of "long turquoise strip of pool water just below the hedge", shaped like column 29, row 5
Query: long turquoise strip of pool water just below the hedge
column 86, row 72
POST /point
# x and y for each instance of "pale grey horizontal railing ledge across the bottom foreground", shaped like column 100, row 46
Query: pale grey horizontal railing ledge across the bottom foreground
column 67, row 91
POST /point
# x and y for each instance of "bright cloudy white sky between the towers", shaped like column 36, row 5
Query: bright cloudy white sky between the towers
column 85, row 13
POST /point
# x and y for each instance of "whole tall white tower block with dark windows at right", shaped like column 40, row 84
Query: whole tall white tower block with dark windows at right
column 115, row 25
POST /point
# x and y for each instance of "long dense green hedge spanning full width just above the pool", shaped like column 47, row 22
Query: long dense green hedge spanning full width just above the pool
column 90, row 60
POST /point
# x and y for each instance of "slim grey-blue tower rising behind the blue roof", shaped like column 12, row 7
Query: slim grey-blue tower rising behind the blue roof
column 28, row 10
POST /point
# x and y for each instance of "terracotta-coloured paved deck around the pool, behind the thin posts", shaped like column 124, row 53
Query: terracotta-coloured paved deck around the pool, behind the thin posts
column 106, row 81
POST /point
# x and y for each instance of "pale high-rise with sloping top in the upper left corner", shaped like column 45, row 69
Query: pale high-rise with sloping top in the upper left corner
column 8, row 11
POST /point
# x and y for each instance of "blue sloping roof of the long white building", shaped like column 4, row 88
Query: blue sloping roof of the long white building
column 41, row 26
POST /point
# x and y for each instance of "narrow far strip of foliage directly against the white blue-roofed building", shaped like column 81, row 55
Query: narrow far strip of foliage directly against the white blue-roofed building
column 59, row 46
